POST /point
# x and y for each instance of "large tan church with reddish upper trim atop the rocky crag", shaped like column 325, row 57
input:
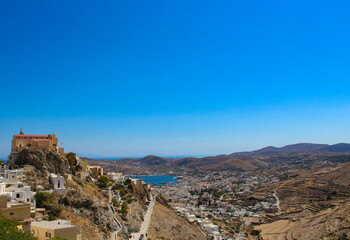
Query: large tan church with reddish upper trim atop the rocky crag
column 22, row 141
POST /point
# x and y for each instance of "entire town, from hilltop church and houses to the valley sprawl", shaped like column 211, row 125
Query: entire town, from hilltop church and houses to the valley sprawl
column 215, row 202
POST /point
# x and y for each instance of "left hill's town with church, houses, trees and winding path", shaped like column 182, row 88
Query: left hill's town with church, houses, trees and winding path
column 19, row 202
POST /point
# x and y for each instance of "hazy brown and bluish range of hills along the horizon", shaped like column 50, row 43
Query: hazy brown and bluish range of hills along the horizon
column 245, row 160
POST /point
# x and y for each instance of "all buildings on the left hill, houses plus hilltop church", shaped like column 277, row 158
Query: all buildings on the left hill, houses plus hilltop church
column 17, row 201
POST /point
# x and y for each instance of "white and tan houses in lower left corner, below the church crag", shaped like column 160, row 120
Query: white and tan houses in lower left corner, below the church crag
column 17, row 204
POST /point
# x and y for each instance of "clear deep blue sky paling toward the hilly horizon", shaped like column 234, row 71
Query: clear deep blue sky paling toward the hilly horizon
column 131, row 78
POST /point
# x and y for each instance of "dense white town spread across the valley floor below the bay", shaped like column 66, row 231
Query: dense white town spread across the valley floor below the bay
column 218, row 196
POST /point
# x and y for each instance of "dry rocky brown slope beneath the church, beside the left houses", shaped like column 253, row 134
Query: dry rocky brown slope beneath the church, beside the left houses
column 86, row 204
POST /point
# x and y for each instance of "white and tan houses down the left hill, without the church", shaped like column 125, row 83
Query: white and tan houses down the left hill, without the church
column 17, row 201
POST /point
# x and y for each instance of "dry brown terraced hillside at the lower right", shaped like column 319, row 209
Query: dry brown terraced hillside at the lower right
column 315, row 205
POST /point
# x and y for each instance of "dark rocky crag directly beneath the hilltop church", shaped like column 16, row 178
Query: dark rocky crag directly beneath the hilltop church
column 44, row 160
